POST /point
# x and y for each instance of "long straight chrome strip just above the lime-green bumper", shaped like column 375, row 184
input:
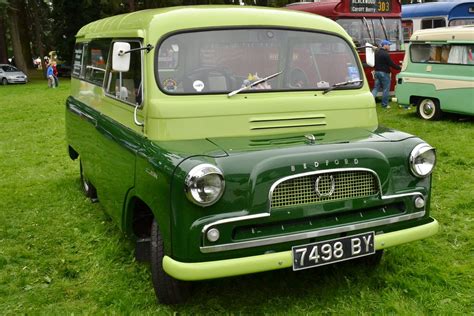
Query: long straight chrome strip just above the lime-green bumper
column 312, row 234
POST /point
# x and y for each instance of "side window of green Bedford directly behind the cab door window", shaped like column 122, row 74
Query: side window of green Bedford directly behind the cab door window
column 95, row 60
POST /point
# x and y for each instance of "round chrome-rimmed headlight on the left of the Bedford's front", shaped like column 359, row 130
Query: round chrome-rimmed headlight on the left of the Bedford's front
column 204, row 184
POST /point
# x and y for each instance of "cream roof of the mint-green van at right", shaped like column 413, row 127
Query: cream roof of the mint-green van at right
column 464, row 33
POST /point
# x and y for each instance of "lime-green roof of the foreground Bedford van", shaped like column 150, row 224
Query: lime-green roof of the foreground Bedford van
column 165, row 20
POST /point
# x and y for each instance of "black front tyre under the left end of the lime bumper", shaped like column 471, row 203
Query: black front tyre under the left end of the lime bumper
column 168, row 290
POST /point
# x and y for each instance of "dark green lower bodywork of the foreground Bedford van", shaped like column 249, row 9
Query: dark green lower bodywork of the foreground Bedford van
column 124, row 165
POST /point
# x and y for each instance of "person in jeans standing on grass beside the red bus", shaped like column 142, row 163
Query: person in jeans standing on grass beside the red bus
column 383, row 62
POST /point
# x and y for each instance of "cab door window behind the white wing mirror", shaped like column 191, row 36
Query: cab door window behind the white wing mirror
column 127, row 86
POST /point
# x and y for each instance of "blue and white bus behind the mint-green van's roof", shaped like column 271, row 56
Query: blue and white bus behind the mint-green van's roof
column 430, row 15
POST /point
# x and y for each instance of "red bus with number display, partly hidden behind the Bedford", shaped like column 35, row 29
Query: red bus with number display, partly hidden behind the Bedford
column 366, row 23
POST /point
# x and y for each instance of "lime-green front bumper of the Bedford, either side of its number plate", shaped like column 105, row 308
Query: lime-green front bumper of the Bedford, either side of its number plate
column 273, row 261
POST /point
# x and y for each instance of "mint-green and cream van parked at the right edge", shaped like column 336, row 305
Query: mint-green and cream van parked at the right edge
column 438, row 72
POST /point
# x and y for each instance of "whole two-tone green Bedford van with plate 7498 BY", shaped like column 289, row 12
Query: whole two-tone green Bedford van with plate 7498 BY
column 234, row 140
